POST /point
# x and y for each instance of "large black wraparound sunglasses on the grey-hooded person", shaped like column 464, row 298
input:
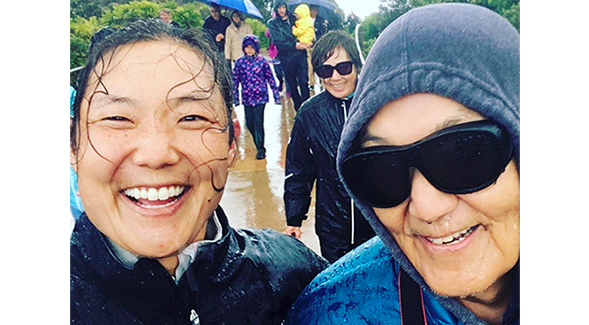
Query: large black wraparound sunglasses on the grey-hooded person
column 460, row 159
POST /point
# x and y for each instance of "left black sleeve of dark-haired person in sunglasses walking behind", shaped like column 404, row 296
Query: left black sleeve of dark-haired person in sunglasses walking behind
column 301, row 173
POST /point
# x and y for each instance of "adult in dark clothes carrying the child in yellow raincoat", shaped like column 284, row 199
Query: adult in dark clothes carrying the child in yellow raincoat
column 291, row 53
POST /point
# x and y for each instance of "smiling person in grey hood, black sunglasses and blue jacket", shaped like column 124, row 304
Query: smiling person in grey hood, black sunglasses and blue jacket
column 430, row 153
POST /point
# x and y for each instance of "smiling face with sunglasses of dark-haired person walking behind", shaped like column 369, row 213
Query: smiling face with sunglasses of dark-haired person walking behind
column 338, row 85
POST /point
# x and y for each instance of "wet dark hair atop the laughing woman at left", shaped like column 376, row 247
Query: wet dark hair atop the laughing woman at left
column 149, row 30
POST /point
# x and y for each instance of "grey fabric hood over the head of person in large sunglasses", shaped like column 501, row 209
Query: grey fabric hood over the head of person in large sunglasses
column 473, row 60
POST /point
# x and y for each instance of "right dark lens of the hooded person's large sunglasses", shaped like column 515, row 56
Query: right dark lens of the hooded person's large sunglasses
column 464, row 162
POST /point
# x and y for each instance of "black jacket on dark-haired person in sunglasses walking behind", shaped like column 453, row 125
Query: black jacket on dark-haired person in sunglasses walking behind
column 310, row 157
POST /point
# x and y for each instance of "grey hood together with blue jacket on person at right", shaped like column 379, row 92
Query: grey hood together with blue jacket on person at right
column 466, row 53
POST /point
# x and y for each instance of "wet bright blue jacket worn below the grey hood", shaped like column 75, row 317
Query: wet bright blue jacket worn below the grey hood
column 362, row 288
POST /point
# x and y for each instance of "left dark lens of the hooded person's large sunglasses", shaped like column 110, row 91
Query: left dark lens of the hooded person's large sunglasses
column 378, row 179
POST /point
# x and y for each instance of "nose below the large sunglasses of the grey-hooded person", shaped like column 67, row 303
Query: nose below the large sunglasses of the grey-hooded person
column 427, row 202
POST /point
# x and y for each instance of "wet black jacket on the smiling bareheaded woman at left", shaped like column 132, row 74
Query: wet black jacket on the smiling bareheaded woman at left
column 246, row 277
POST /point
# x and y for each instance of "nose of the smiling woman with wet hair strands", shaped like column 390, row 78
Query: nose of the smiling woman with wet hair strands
column 155, row 149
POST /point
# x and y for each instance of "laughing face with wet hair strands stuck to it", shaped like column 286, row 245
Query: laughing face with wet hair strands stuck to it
column 154, row 151
